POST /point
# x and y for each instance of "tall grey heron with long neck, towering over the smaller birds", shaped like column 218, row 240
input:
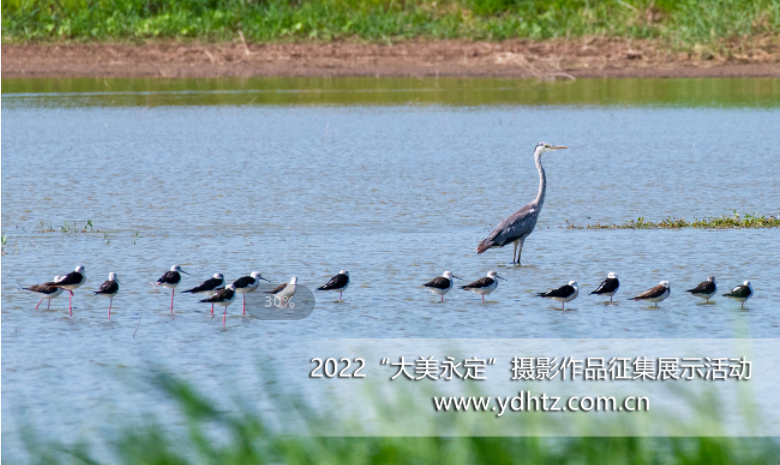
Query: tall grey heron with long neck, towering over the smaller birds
column 515, row 229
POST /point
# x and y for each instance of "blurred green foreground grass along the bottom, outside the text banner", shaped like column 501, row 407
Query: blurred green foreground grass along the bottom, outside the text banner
column 248, row 439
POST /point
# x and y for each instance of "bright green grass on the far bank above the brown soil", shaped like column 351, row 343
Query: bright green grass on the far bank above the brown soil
column 682, row 23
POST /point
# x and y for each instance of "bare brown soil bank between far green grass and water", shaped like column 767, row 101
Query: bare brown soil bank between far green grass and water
column 564, row 59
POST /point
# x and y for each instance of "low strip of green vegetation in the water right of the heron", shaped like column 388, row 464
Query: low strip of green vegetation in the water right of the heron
column 722, row 222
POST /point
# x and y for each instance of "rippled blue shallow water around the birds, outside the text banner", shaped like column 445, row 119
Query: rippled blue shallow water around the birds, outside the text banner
column 394, row 180
